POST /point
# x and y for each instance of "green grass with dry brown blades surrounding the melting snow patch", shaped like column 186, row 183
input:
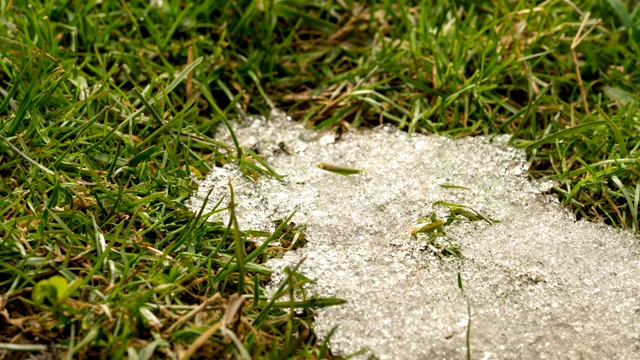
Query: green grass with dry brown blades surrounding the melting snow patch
column 109, row 111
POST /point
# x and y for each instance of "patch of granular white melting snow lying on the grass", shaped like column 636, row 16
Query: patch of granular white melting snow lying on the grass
column 540, row 284
